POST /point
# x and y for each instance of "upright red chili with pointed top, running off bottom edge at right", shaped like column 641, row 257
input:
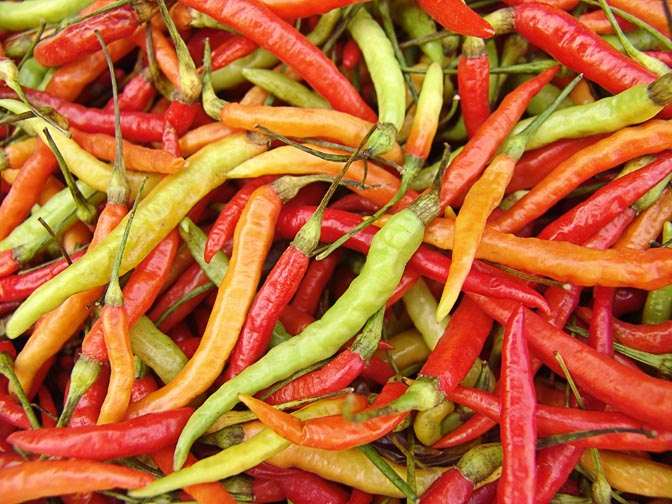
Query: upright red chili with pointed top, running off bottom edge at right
column 518, row 415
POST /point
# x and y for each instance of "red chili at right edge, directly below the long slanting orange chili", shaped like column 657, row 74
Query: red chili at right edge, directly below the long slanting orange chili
column 618, row 195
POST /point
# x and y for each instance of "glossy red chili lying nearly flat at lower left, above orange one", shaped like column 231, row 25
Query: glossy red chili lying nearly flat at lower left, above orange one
column 128, row 438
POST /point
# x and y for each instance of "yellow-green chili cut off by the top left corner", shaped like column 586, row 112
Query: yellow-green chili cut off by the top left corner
column 17, row 16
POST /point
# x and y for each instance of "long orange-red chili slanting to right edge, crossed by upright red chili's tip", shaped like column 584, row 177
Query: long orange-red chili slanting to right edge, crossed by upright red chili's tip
column 585, row 361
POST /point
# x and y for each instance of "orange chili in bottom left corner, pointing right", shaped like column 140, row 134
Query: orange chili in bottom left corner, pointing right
column 46, row 478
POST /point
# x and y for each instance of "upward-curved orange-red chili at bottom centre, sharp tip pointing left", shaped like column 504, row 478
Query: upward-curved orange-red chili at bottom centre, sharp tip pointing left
column 332, row 432
